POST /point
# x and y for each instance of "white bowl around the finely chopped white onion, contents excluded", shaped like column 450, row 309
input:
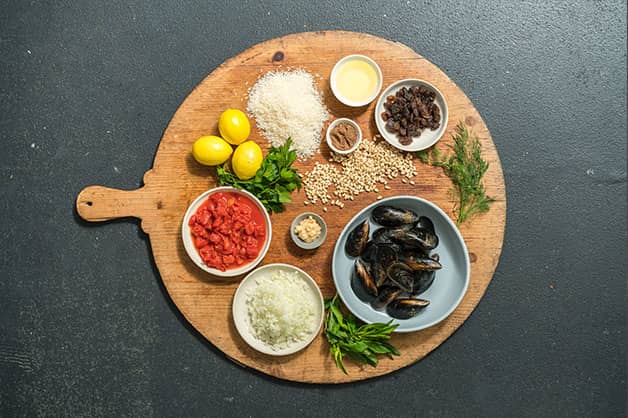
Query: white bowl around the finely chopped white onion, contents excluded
column 240, row 310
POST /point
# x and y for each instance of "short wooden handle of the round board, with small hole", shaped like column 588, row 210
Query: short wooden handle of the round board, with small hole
column 98, row 203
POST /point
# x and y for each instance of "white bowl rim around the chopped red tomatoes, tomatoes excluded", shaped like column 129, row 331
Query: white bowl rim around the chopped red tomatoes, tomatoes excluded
column 193, row 252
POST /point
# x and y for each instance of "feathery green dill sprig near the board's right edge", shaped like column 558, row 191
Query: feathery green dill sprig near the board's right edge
column 465, row 167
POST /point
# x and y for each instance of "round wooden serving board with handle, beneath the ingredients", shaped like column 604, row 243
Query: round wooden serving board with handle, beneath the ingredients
column 176, row 179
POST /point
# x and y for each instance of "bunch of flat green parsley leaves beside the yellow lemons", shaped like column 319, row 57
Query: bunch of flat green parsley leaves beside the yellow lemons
column 273, row 182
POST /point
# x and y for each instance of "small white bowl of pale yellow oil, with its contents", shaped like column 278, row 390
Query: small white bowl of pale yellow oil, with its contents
column 356, row 80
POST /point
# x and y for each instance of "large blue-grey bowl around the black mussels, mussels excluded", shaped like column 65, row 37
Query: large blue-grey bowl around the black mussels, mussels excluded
column 449, row 285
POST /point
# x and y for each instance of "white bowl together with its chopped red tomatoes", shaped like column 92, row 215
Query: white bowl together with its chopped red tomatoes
column 226, row 231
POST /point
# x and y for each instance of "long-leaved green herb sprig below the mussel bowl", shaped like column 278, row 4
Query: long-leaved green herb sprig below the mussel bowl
column 362, row 343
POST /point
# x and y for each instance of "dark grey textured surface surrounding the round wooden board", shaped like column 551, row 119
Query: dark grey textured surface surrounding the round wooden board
column 86, row 91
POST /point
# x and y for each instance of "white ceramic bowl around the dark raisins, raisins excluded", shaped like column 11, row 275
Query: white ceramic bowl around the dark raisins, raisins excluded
column 428, row 137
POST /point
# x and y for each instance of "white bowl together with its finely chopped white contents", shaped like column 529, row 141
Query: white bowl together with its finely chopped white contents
column 278, row 309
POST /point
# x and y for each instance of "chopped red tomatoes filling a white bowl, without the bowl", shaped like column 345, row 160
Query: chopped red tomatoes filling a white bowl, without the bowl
column 228, row 230
